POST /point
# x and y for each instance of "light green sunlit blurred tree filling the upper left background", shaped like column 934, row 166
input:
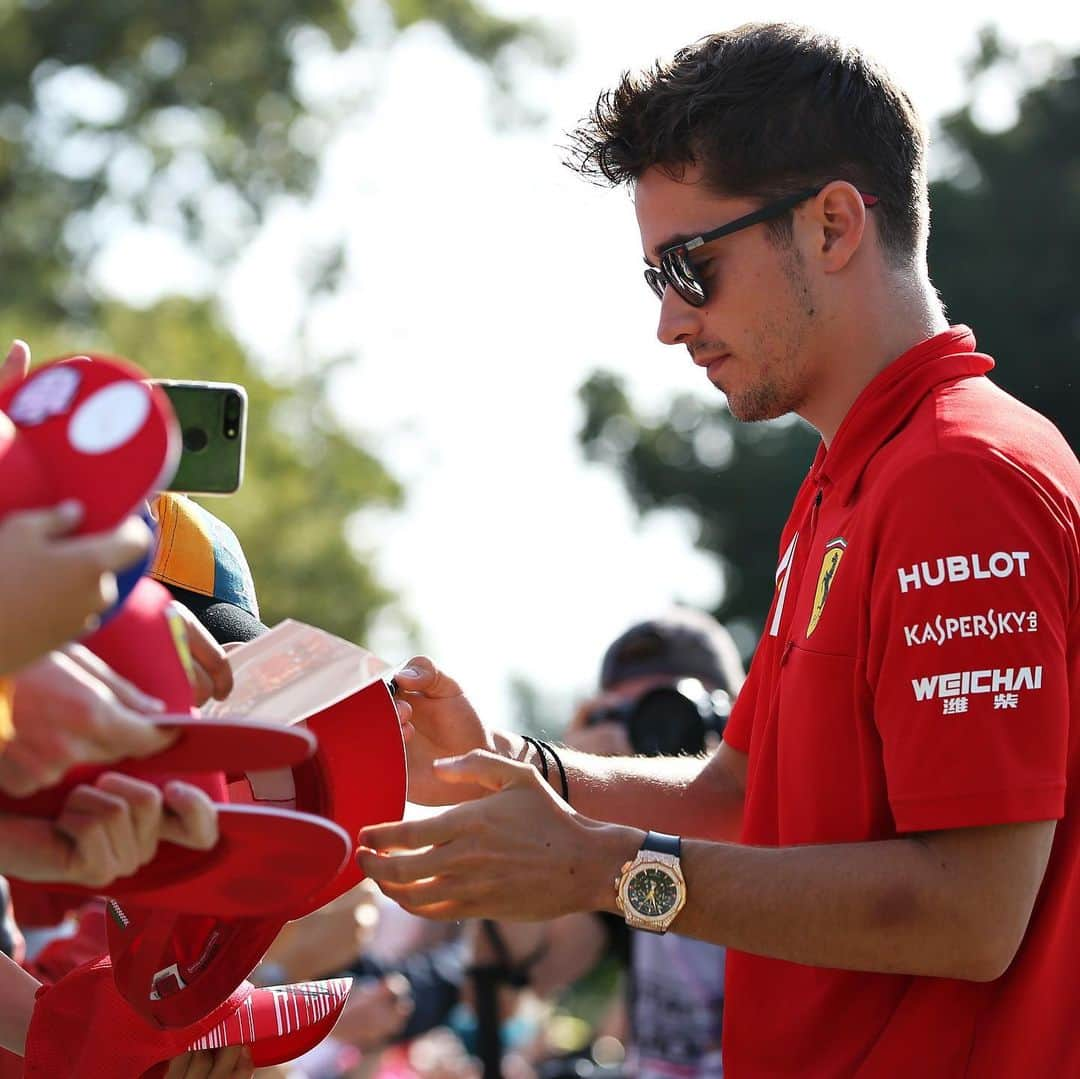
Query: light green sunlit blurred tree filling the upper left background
column 198, row 119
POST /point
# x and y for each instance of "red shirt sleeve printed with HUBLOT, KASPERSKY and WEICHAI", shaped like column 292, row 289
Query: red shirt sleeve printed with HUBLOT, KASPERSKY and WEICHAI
column 971, row 598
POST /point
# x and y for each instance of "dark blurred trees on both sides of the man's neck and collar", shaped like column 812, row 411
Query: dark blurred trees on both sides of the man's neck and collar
column 1006, row 255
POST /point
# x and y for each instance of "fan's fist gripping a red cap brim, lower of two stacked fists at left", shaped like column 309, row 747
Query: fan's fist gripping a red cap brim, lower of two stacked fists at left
column 106, row 831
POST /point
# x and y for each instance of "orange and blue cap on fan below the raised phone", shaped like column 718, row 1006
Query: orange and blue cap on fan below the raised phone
column 201, row 562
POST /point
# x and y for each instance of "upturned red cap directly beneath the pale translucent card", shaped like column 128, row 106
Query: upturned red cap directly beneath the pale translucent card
column 356, row 778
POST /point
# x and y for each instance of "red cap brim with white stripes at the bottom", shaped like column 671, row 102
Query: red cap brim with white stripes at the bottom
column 281, row 1023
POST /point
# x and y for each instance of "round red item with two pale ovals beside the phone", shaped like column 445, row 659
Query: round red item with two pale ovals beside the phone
column 91, row 429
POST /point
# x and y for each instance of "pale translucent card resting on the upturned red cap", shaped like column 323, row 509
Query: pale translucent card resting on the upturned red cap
column 294, row 671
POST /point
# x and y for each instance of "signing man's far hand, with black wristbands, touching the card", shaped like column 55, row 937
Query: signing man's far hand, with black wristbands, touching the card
column 439, row 722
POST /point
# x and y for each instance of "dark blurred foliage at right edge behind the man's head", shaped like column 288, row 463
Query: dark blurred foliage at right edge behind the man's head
column 1005, row 248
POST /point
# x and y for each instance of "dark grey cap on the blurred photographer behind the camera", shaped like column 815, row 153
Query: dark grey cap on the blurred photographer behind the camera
column 681, row 643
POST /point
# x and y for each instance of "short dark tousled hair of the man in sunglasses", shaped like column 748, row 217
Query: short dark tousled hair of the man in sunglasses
column 767, row 110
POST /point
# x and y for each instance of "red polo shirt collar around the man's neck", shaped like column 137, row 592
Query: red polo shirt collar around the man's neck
column 888, row 401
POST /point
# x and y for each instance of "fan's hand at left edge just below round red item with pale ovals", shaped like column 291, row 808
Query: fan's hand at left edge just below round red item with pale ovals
column 52, row 585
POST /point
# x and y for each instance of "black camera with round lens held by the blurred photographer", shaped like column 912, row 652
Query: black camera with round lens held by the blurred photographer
column 672, row 721
